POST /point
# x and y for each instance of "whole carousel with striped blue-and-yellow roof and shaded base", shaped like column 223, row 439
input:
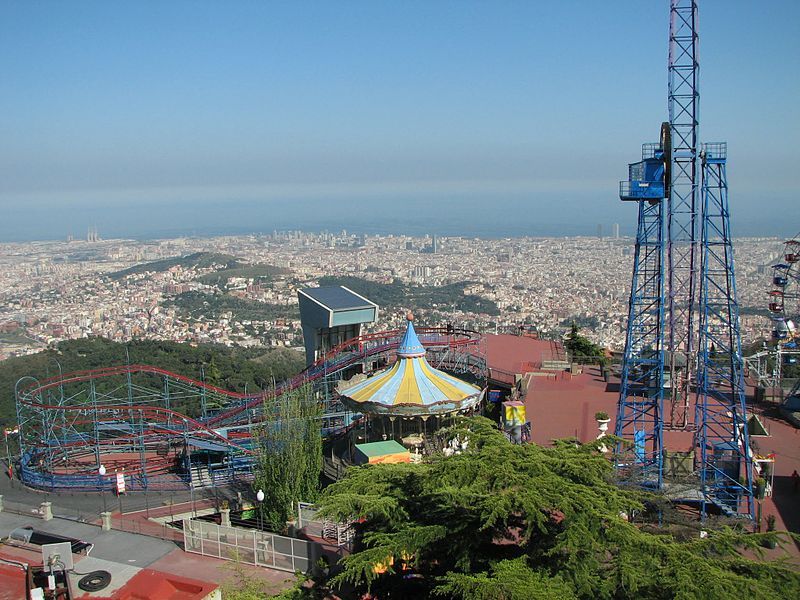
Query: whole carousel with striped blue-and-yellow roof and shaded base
column 400, row 400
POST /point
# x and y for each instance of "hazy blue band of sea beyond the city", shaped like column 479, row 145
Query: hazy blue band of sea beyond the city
column 550, row 216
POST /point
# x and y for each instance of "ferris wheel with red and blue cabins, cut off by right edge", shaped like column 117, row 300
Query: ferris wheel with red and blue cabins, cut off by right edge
column 784, row 304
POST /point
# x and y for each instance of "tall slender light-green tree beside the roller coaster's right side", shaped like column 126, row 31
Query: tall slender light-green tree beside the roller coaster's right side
column 289, row 461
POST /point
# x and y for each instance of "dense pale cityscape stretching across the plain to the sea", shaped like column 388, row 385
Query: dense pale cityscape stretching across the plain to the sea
column 52, row 291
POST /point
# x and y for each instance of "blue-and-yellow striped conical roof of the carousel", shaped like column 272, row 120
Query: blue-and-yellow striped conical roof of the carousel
column 412, row 382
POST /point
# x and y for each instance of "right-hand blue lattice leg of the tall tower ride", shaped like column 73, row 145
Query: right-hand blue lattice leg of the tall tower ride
column 724, row 462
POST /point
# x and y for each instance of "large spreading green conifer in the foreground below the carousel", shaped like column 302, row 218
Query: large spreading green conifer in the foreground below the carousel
column 501, row 521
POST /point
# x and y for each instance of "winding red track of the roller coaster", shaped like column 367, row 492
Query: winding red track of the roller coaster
column 160, row 425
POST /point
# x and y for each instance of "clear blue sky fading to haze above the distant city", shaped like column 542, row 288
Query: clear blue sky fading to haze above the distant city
column 260, row 108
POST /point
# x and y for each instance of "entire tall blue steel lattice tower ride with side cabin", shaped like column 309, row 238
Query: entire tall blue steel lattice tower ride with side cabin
column 670, row 353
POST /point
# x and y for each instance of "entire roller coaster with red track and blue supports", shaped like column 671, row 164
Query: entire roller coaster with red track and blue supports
column 165, row 431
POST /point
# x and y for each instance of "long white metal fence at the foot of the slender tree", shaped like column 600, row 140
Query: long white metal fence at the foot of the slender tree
column 260, row 548
